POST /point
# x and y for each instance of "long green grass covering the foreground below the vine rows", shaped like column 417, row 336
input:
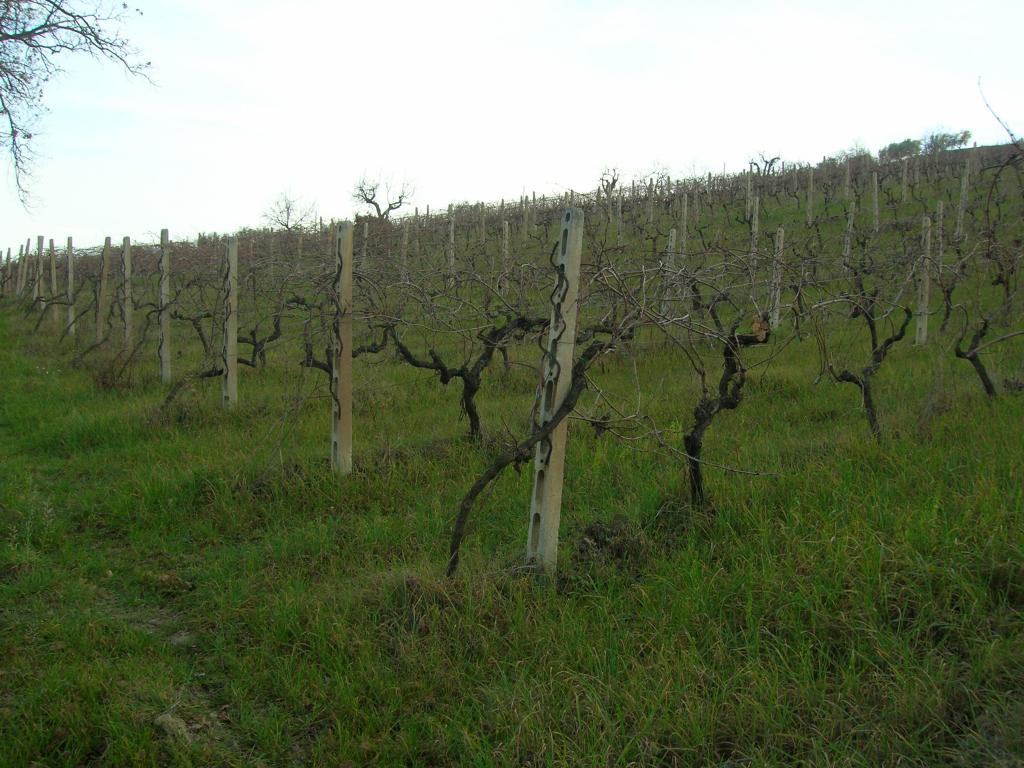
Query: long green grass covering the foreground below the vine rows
column 858, row 605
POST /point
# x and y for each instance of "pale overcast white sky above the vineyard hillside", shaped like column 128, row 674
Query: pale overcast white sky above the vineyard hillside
column 482, row 101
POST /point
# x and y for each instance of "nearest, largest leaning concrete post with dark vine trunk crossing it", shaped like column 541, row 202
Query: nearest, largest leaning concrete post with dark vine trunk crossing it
column 549, row 464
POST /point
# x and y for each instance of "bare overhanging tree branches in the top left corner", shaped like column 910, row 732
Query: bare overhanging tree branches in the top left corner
column 33, row 35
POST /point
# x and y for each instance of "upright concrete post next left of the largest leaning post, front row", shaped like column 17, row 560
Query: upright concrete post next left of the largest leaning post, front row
column 342, row 352
